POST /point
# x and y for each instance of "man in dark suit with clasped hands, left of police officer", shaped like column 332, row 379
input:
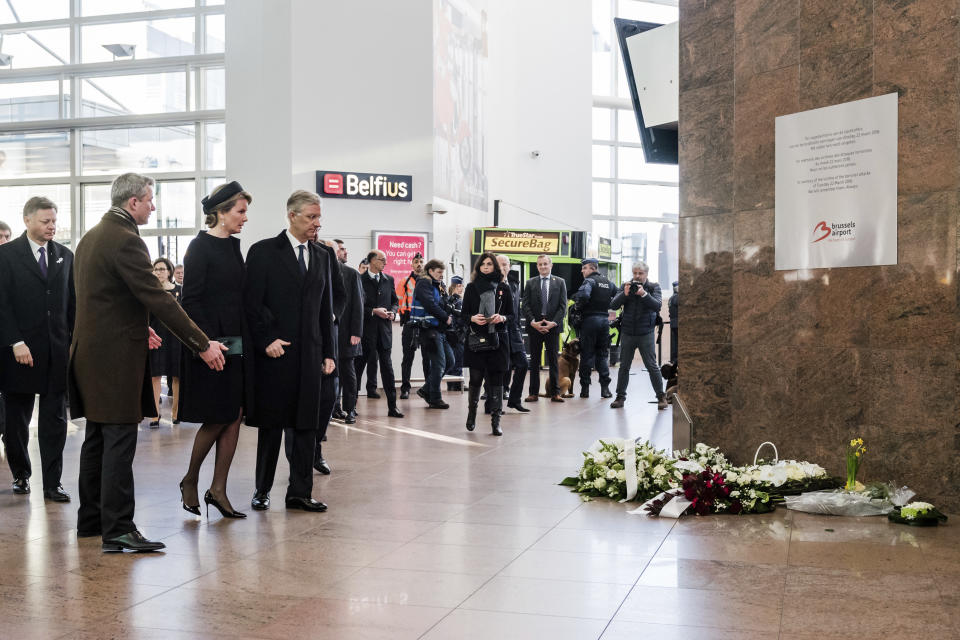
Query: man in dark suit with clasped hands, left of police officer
column 544, row 306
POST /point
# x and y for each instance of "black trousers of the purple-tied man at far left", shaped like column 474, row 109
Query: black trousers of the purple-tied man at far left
column 51, row 435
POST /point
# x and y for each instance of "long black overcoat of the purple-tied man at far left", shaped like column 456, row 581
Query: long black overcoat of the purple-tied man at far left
column 38, row 311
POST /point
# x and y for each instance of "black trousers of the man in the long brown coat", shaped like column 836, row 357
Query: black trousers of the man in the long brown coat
column 106, row 479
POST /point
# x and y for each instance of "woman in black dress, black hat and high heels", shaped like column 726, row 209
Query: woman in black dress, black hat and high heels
column 213, row 298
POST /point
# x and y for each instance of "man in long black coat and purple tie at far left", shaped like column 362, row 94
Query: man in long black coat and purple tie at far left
column 37, row 309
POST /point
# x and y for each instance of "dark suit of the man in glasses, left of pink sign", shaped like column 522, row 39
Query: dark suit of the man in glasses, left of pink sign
column 378, row 332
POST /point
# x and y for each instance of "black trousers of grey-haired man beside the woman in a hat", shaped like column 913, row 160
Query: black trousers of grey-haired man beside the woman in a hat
column 299, row 445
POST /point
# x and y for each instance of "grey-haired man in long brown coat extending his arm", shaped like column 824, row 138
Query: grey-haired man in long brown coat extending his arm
column 109, row 375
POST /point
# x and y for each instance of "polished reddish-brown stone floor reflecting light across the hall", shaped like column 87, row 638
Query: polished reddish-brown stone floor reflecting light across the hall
column 434, row 532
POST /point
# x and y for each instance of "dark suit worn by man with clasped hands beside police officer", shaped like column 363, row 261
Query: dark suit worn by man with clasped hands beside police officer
column 533, row 308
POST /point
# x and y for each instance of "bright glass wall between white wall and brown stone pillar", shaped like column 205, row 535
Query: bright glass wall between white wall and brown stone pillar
column 636, row 204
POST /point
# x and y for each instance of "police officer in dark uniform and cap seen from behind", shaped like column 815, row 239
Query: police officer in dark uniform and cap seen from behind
column 593, row 300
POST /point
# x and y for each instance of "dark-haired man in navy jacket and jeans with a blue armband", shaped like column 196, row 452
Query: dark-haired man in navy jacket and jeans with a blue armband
column 429, row 314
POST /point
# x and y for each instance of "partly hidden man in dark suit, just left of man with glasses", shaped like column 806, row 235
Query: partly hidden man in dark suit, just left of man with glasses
column 348, row 338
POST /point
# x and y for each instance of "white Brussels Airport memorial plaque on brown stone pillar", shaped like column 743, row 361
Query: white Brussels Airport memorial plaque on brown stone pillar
column 836, row 197
